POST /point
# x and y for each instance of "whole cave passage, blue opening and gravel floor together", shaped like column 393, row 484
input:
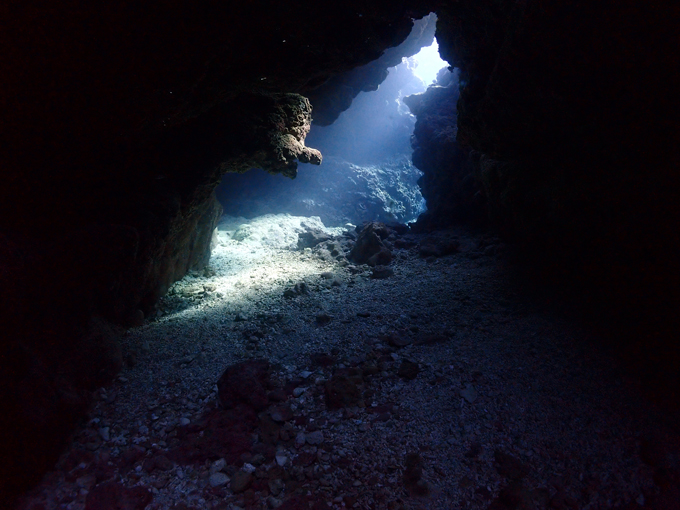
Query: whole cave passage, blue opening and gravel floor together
column 310, row 364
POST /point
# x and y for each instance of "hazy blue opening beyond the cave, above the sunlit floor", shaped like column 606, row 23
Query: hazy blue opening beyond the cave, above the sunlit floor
column 367, row 173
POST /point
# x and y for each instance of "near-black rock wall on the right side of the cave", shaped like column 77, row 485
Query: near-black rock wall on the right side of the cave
column 570, row 110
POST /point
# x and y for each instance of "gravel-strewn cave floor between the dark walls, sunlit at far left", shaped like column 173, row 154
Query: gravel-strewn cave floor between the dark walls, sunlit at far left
column 461, row 391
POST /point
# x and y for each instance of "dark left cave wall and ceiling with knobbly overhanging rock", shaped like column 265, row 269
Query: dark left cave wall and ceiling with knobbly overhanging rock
column 118, row 121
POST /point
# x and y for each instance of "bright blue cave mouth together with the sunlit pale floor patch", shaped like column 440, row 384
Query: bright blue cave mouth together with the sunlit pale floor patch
column 366, row 176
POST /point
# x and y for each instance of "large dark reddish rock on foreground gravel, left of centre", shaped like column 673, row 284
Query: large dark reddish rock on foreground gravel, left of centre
column 245, row 383
